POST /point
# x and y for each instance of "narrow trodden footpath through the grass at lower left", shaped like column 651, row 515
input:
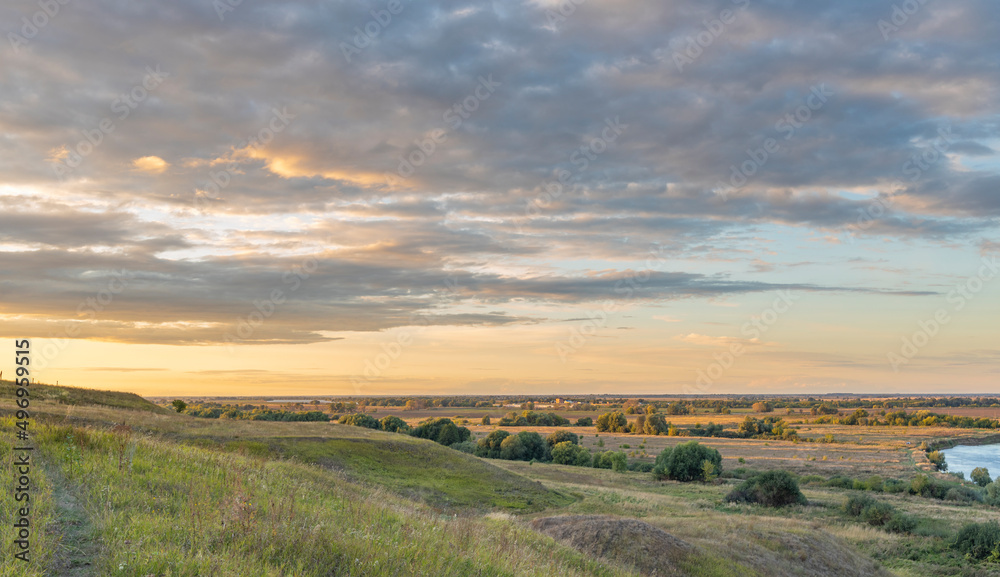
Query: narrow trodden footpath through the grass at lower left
column 78, row 549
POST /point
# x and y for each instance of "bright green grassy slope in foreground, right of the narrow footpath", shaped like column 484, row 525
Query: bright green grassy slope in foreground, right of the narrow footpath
column 182, row 511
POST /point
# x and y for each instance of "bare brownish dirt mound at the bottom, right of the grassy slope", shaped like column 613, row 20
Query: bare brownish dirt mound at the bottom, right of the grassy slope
column 649, row 549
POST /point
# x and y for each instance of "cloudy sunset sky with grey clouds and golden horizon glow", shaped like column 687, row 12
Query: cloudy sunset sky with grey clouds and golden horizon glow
column 226, row 197
